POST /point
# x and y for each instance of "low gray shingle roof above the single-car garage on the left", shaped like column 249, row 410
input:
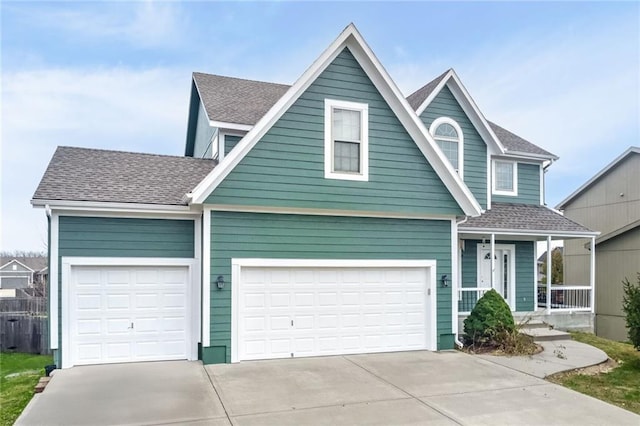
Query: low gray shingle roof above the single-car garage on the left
column 80, row 174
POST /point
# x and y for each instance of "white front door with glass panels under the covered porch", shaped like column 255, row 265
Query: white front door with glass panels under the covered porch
column 504, row 278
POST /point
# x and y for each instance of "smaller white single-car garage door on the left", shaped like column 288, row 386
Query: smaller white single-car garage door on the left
column 128, row 314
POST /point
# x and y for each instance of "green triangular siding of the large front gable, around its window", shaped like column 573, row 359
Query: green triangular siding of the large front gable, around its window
column 286, row 167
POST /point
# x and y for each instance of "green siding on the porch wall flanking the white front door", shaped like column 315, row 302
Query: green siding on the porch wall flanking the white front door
column 525, row 285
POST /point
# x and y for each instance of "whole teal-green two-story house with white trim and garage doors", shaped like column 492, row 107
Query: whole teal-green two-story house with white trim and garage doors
column 333, row 216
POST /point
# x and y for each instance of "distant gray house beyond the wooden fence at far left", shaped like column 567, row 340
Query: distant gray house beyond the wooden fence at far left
column 22, row 272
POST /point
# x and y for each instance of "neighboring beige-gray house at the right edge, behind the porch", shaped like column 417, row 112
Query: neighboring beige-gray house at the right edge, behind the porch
column 609, row 202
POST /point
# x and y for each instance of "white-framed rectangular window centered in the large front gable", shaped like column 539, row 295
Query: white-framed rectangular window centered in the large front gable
column 346, row 140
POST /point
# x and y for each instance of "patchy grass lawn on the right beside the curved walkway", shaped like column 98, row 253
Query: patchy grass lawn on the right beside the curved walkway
column 620, row 386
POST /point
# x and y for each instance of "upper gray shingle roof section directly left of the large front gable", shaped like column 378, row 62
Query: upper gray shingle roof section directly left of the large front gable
column 235, row 100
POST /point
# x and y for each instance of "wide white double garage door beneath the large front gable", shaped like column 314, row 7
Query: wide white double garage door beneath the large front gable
column 296, row 311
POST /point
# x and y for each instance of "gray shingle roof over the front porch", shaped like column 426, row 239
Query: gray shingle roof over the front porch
column 523, row 217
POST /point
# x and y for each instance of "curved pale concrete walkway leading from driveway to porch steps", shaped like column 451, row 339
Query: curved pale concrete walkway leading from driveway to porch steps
column 557, row 356
